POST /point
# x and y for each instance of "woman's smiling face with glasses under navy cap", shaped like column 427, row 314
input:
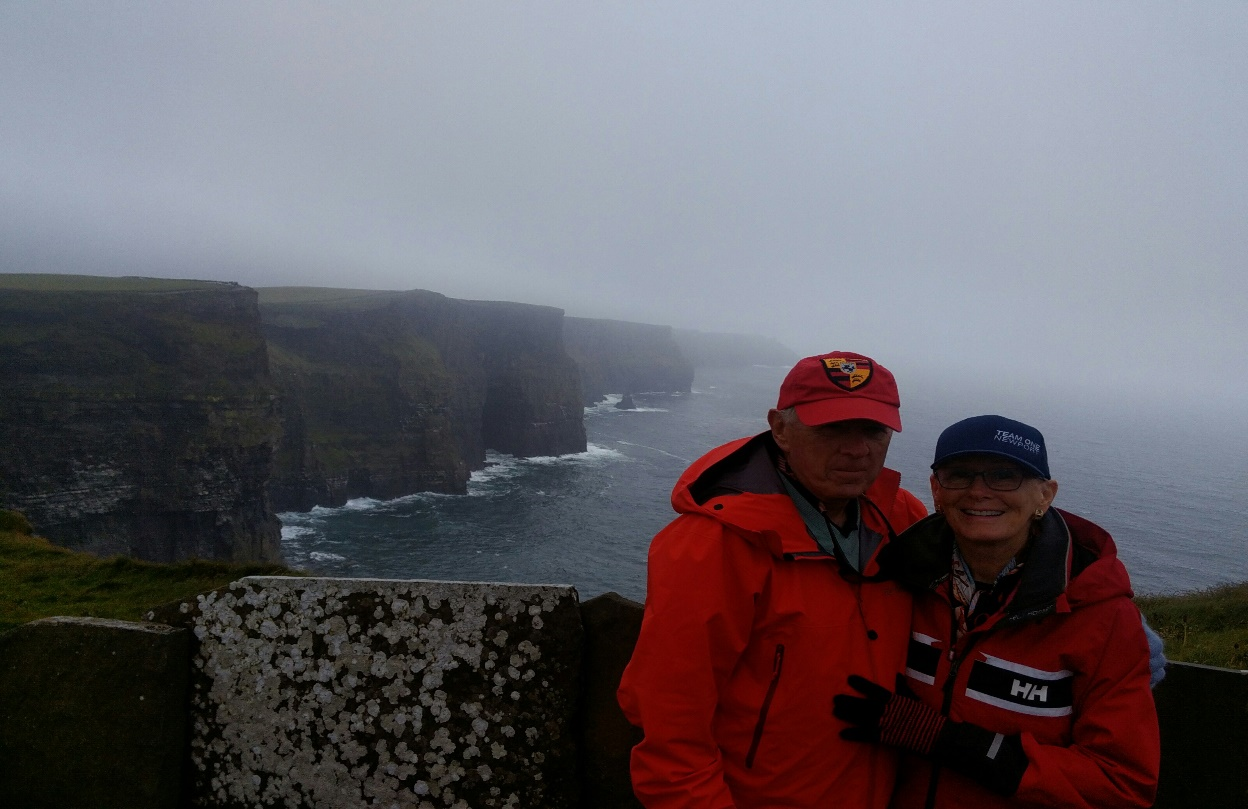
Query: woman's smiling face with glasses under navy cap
column 980, row 515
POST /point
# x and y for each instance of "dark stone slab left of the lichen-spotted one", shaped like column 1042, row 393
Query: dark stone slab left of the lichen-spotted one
column 93, row 715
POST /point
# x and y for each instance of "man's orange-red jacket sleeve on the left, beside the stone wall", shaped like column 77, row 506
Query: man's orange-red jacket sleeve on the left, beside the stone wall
column 700, row 612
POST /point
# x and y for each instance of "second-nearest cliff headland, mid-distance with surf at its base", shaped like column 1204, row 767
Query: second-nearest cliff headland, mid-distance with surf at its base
column 388, row 394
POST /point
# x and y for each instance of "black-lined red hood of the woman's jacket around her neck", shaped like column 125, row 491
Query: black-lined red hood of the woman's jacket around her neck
column 1071, row 564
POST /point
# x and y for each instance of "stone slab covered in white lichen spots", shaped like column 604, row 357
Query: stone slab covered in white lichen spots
column 384, row 694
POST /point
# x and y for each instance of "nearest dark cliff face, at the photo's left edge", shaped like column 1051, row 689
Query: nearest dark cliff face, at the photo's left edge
column 137, row 416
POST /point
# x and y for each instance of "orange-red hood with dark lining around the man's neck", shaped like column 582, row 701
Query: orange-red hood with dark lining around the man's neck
column 739, row 486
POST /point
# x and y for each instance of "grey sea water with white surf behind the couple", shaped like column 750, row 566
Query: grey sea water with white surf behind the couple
column 1170, row 489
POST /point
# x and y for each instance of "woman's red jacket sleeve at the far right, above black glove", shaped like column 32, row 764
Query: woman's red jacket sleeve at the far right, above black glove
column 1115, row 752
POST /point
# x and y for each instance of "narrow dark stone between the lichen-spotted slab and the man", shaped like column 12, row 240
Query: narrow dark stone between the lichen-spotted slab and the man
column 612, row 626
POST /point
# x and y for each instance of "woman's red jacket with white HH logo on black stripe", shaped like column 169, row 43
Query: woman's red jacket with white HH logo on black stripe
column 1064, row 664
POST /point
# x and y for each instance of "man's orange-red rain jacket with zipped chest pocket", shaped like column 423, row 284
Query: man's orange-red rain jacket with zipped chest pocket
column 751, row 630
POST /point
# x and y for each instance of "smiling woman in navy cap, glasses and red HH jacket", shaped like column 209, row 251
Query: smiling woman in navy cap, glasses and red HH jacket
column 1028, row 679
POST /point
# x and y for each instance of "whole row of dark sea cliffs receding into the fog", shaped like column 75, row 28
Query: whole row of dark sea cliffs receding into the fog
column 169, row 420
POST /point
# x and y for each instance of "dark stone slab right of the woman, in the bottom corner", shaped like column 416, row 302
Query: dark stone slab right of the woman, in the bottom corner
column 1204, row 716
